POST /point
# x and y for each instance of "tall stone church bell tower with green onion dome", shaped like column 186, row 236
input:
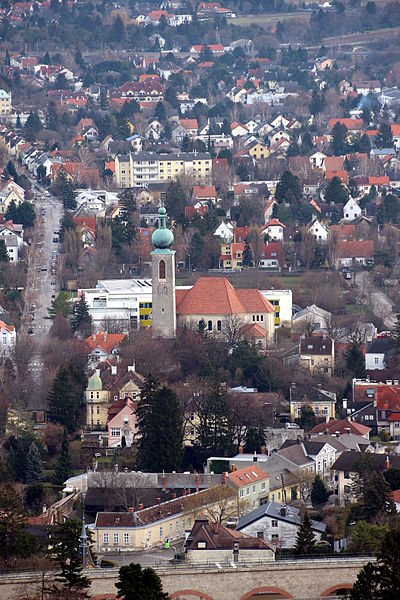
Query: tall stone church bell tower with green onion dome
column 163, row 280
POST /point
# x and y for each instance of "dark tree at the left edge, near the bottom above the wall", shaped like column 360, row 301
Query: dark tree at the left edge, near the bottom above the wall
column 16, row 541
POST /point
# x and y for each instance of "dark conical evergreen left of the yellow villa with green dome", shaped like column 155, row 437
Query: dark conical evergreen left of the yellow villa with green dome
column 63, row 401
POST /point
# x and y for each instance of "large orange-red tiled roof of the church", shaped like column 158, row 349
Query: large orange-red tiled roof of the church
column 216, row 296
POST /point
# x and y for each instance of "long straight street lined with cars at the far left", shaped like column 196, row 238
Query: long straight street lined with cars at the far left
column 41, row 284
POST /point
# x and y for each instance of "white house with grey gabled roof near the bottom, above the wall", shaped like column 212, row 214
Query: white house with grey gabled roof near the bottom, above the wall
column 277, row 524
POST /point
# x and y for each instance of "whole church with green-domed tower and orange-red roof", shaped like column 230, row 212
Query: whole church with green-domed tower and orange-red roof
column 211, row 304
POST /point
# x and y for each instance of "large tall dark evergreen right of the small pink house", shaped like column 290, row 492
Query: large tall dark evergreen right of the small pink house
column 160, row 427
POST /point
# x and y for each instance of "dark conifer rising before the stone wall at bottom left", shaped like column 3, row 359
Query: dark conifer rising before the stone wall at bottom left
column 65, row 540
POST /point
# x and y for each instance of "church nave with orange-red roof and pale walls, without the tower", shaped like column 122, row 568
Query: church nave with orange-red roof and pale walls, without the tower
column 213, row 303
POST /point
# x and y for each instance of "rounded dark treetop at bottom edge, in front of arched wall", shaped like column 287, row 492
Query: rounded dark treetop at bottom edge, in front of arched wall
column 135, row 583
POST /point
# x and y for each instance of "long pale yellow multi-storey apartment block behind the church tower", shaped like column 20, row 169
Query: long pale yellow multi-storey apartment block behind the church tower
column 146, row 167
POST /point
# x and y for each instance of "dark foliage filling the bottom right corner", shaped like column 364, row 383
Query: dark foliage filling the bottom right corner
column 381, row 580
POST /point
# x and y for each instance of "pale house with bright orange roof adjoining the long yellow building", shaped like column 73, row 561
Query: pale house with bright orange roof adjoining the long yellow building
column 251, row 485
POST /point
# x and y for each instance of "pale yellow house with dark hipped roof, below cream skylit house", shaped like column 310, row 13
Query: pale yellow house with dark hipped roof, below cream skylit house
column 323, row 402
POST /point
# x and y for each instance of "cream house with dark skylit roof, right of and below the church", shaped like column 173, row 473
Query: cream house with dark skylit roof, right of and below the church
column 317, row 354
